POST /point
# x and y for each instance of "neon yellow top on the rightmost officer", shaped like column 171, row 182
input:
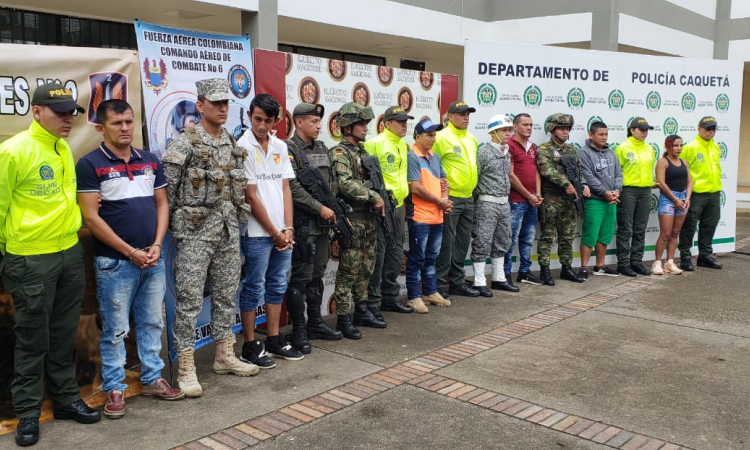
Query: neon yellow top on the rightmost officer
column 704, row 159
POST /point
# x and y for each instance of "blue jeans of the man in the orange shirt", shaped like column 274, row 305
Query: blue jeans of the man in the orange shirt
column 424, row 245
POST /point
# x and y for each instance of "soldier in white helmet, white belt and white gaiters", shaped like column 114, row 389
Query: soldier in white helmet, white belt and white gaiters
column 491, row 231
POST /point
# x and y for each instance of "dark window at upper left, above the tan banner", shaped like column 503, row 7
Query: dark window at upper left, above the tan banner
column 35, row 28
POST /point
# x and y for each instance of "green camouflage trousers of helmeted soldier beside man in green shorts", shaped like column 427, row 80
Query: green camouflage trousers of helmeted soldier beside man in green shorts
column 557, row 218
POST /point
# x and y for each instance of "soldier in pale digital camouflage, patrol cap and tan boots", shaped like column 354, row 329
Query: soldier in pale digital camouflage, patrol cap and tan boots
column 206, row 193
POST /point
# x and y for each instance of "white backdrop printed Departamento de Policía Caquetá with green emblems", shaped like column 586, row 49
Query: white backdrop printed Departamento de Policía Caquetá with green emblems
column 671, row 93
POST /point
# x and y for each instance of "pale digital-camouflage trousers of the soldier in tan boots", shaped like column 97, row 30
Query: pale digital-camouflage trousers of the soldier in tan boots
column 196, row 261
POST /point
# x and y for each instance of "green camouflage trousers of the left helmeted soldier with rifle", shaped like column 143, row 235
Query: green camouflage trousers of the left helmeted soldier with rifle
column 356, row 264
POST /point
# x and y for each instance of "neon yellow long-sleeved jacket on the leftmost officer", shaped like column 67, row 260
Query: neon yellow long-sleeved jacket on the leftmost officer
column 38, row 209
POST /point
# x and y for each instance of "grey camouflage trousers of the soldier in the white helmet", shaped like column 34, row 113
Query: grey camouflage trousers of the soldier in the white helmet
column 491, row 231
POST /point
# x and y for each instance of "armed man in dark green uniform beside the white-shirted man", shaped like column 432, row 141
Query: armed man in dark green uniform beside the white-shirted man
column 312, row 251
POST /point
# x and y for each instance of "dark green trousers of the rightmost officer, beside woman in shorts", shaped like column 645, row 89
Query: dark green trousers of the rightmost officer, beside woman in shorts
column 706, row 209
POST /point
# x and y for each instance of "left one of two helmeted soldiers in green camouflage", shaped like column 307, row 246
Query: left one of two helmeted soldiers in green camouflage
column 356, row 258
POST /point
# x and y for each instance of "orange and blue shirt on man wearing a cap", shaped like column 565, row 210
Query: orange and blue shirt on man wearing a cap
column 427, row 170
